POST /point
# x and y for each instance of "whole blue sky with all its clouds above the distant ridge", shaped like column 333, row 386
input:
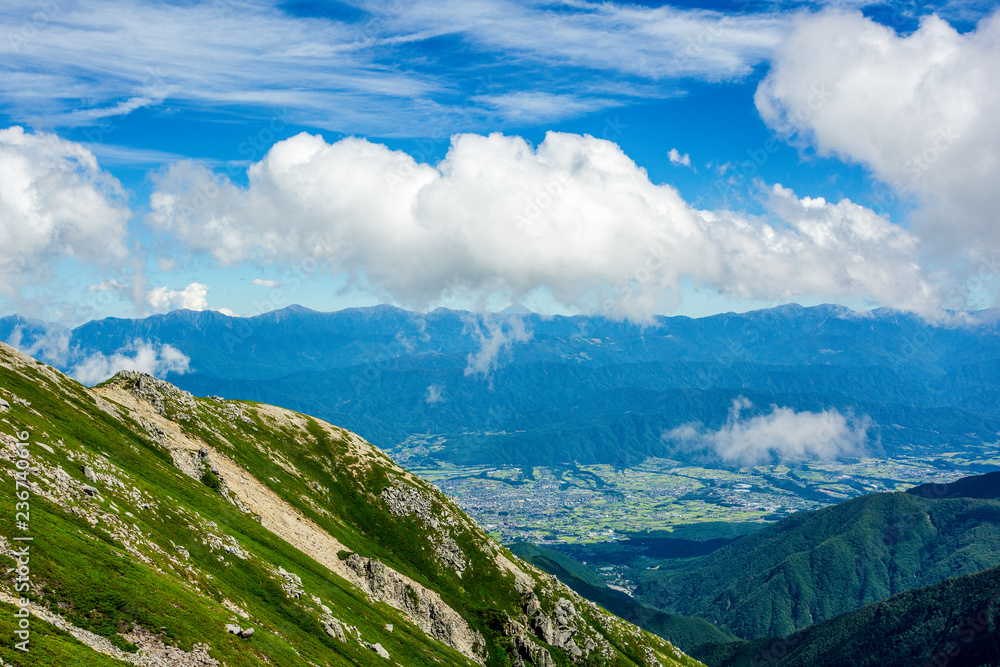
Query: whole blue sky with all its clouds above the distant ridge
column 651, row 158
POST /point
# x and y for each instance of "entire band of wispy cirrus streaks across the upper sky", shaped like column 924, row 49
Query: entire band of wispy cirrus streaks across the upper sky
column 375, row 72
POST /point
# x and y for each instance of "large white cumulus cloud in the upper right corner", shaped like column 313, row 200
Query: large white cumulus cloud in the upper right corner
column 919, row 110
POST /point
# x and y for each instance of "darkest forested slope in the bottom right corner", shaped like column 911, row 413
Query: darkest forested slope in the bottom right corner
column 955, row 623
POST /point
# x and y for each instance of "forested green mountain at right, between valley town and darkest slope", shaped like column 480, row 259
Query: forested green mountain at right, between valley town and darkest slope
column 814, row 566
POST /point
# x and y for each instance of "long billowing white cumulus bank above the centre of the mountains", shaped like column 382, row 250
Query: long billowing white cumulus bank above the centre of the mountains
column 574, row 217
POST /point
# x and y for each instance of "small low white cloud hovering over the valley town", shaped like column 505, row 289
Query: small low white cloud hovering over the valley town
column 781, row 435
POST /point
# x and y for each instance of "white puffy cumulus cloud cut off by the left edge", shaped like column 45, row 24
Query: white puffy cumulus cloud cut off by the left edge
column 55, row 202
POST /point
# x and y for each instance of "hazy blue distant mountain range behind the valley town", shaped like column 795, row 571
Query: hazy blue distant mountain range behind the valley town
column 519, row 388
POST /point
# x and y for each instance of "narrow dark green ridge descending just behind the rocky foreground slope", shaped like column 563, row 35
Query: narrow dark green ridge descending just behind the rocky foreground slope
column 682, row 631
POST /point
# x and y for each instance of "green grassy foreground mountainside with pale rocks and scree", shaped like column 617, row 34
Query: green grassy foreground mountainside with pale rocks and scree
column 159, row 518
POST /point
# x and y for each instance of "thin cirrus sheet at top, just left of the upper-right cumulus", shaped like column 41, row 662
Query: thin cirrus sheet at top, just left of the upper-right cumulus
column 646, row 42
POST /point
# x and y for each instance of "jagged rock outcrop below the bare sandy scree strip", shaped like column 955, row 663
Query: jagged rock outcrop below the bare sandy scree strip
column 423, row 607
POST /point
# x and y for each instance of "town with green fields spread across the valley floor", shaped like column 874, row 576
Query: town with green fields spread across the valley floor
column 603, row 503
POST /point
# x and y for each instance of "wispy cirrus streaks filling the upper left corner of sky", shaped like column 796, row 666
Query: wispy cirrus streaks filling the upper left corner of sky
column 92, row 54
